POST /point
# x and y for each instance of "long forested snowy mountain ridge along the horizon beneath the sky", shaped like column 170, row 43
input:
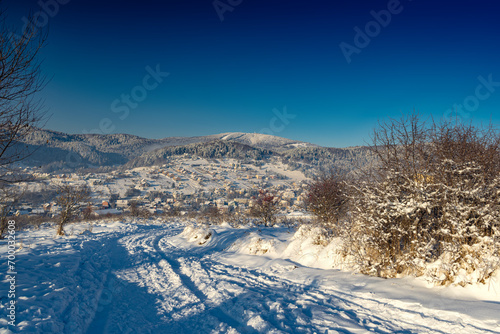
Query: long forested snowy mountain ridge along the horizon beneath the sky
column 54, row 150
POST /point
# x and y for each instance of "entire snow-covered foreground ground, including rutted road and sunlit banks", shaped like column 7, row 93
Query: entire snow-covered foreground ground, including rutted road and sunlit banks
column 171, row 277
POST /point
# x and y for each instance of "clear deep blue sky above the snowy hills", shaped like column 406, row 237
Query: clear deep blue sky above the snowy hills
column 229, row 75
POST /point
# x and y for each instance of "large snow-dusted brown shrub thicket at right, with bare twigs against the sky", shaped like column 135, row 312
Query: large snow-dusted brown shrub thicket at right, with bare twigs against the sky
column 432, row 206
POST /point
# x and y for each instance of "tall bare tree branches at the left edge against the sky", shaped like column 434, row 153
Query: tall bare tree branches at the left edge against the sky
column 20, row 80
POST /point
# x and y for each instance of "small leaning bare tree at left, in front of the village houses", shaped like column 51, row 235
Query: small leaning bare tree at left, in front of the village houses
column 70, row 198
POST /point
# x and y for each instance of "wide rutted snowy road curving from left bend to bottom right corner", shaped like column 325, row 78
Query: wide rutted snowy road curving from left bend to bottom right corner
column 172, row 289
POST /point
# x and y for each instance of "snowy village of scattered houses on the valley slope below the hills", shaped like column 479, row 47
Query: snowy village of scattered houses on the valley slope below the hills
column 182, row 185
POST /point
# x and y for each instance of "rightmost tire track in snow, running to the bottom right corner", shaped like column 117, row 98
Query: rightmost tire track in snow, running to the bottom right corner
column 359, row 310
